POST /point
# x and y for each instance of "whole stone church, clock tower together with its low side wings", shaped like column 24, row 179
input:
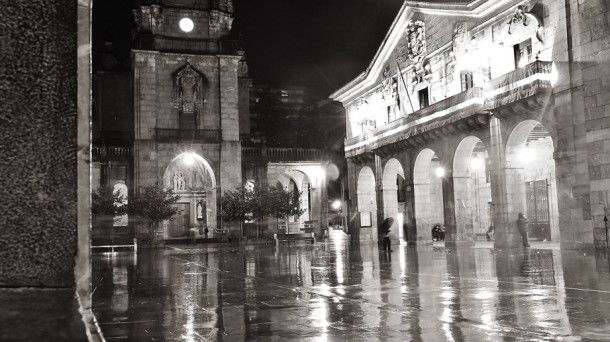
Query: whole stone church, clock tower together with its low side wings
column 189, row 113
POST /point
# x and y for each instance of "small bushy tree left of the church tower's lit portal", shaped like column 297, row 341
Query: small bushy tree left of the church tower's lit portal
column 154, row 205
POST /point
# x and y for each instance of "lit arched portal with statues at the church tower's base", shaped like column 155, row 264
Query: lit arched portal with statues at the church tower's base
column 190, row 176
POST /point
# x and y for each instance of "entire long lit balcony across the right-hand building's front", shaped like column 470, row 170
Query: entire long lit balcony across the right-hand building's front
column 517, row 93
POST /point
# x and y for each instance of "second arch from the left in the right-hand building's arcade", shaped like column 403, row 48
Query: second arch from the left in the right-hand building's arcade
column 394, row 196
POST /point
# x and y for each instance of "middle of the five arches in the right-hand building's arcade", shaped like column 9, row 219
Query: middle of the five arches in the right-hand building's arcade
column 427, row 187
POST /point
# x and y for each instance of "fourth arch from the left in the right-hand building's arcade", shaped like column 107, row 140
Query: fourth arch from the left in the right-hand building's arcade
column 472, row 189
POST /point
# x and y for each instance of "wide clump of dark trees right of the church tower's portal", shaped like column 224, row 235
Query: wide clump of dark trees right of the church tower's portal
column 260, row 202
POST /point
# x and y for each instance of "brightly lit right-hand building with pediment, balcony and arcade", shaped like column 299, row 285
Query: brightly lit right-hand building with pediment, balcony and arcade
column 474, row 112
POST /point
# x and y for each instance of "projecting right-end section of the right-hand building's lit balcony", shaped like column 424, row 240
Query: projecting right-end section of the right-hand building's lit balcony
column 520, row 92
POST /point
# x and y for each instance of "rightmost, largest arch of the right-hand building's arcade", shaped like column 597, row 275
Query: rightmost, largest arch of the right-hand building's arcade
column 530, row 179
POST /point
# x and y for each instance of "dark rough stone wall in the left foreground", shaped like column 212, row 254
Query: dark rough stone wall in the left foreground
column 38, row 132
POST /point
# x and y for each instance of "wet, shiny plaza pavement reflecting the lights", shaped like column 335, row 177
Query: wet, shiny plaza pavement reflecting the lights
column 337, row 291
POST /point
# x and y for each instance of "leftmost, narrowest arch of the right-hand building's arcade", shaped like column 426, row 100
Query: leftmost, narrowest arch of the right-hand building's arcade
column 367, row 204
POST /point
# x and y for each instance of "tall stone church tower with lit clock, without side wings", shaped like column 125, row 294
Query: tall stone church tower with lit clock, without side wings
column 188, row 77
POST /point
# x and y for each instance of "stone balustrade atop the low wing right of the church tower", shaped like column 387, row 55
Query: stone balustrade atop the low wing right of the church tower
column 282, row 154
